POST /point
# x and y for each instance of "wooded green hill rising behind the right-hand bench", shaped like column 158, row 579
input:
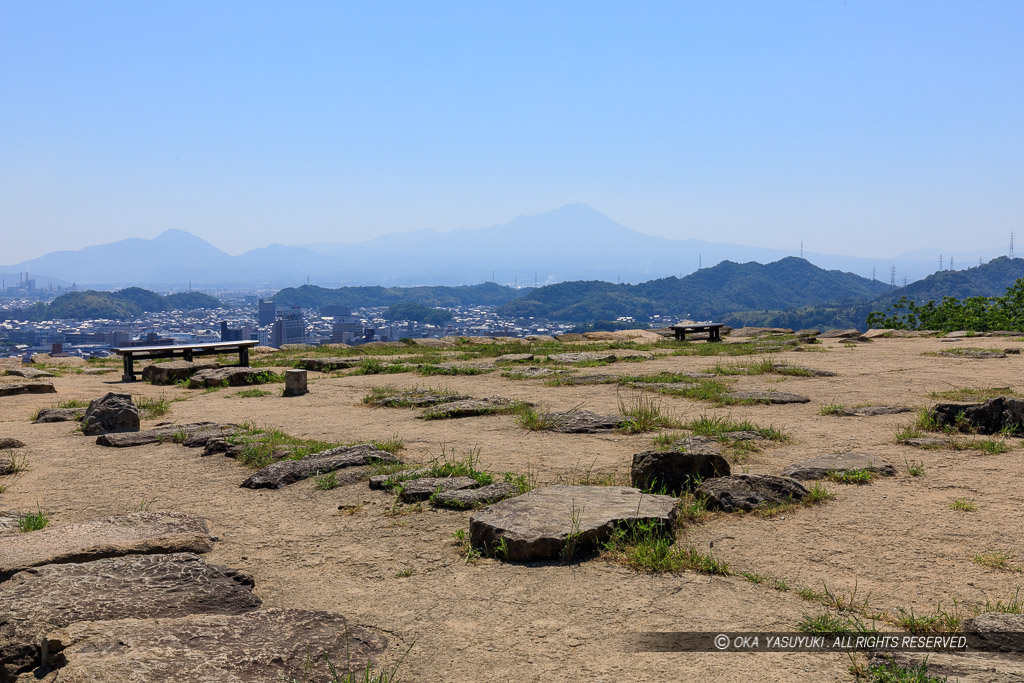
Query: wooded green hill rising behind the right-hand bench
column 710, row 293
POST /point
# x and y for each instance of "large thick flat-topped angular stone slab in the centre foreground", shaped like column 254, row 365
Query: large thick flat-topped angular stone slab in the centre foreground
column 538, row 525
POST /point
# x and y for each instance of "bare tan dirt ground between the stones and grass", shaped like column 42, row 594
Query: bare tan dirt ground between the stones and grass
column 895, row 543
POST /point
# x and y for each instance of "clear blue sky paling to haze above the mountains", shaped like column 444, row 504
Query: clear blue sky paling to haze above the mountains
column 867, row 129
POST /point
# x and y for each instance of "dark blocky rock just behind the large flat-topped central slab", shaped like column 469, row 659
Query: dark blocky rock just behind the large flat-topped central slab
column 677, row 471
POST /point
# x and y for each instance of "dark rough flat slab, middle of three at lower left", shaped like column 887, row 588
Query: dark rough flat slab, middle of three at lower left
column 42, row 600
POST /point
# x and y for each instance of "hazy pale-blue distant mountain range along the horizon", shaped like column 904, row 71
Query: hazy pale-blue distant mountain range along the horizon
column 575, row 242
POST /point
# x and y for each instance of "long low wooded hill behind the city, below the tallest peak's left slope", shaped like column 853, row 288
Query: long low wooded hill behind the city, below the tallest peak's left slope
column 488, row 294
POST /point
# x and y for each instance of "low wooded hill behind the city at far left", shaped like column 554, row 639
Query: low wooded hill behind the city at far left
column 121, row 306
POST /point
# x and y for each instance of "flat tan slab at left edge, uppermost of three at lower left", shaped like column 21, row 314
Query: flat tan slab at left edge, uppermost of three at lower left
column 135, row 534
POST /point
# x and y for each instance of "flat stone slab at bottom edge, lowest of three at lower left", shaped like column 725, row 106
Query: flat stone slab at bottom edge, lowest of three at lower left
column 265, row 646
